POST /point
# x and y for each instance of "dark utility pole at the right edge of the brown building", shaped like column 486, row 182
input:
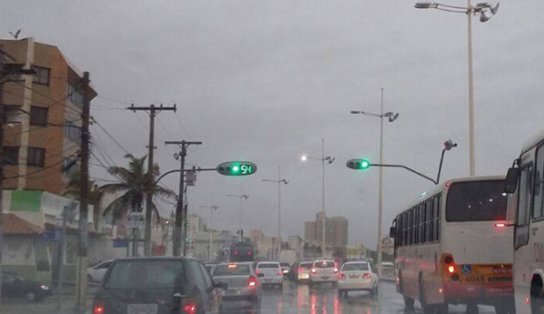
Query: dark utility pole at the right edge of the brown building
column 81, row 291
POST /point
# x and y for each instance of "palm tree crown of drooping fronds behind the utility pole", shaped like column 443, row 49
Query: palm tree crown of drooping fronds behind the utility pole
column 134, row 182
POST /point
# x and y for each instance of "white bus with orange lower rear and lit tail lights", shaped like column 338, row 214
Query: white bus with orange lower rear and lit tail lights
column 453, row 246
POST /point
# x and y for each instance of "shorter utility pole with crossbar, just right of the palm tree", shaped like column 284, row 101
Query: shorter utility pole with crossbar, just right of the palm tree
column 181, row 210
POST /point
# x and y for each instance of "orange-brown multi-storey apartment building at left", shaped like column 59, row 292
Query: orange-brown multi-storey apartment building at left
column 42, row 120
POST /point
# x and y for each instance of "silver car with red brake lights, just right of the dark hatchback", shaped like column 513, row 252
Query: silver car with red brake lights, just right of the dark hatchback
column 242, row 282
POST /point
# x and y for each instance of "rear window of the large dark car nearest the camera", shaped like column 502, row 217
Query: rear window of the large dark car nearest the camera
column 158, row 274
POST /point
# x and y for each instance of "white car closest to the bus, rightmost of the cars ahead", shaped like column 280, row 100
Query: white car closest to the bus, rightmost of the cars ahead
column 357, row 276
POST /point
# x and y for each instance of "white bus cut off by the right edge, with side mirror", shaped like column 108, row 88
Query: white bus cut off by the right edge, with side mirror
column 525, row 183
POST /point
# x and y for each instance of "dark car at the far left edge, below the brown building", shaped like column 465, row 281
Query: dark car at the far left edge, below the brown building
column 16, row 286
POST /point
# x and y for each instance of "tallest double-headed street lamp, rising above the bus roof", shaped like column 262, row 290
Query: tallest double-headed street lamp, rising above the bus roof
column 485, row 11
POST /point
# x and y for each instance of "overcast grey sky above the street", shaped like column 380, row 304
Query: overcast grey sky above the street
column 267, row 80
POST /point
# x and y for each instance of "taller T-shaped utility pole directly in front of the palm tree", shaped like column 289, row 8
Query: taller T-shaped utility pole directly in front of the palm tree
column 149, row 197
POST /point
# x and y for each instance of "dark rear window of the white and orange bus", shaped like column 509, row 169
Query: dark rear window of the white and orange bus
column 476, row 201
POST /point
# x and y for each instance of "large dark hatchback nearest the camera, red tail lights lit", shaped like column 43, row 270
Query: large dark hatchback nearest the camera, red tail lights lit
column 157, row 285
